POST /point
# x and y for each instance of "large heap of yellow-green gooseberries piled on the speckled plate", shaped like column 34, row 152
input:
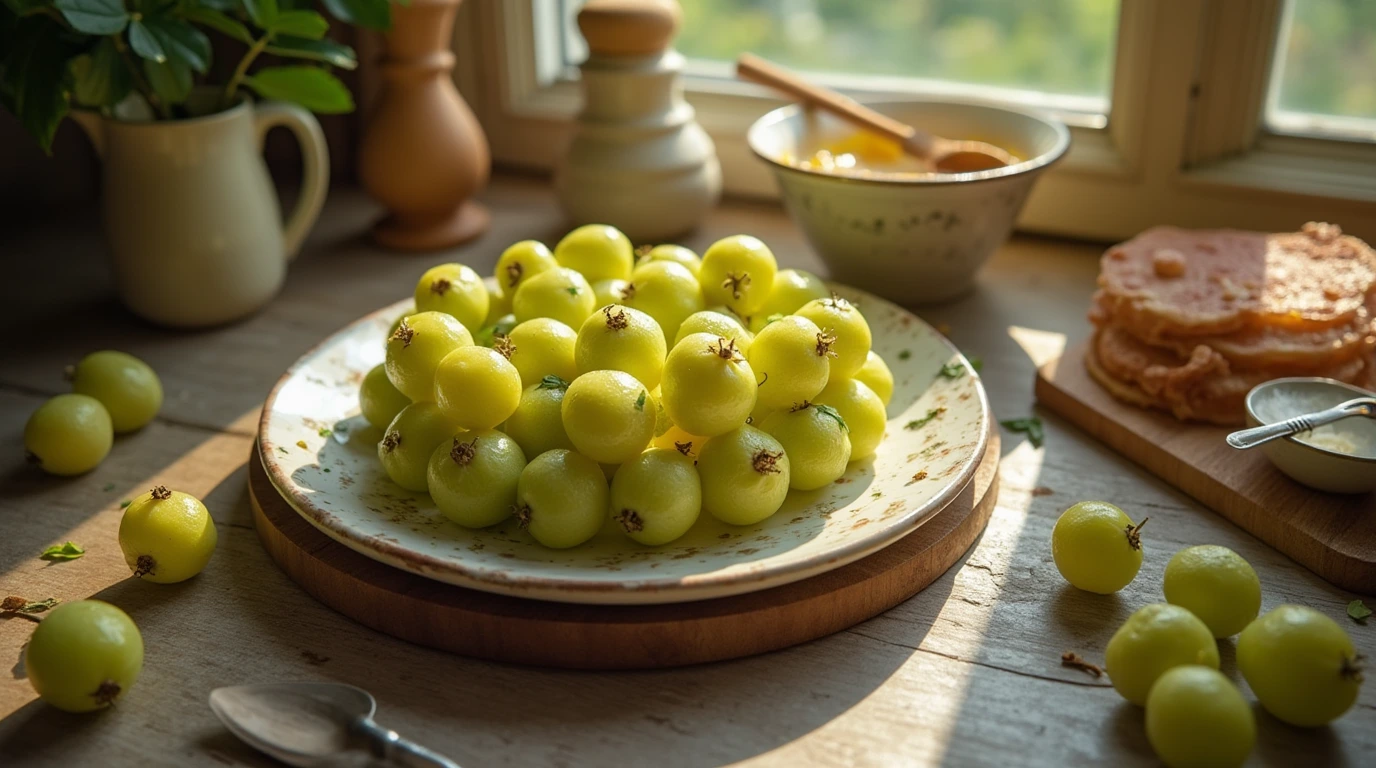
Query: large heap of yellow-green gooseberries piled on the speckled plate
column 606, row 386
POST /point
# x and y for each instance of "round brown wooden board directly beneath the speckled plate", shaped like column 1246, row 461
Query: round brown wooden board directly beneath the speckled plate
column 580, row 637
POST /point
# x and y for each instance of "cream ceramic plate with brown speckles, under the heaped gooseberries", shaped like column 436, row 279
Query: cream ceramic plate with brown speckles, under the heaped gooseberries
column 323, row 458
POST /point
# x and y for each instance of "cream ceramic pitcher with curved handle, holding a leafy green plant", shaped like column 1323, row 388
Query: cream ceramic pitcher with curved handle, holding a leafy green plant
column 193, row 222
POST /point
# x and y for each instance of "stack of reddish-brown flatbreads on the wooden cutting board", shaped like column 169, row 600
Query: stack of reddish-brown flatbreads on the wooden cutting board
column 1190, row 321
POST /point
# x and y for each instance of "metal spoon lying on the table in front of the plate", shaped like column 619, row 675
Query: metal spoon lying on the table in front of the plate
column 310, row 723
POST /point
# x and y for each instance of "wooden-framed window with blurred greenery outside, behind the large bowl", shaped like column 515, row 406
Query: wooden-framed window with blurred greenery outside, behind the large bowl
column 1240, row 114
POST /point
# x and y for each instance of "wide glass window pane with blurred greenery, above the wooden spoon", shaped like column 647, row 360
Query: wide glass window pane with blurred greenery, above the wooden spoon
column 1052, row 47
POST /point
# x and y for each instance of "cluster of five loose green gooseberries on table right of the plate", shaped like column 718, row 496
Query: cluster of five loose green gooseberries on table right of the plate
column 1300, row 664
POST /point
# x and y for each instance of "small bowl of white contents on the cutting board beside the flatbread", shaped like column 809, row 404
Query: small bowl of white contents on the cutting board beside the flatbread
column 1309, row 465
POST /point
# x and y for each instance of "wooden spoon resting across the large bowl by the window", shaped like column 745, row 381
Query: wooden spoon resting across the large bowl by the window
column 946, row 156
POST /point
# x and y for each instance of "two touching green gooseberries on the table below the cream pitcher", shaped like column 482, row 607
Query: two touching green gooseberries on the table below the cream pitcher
column 112, row 393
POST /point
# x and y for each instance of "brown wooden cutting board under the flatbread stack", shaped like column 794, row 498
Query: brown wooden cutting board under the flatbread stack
column 1331, row 535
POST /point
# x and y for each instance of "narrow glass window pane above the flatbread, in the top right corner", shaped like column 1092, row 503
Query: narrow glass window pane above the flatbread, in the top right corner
column 1326, row 70
